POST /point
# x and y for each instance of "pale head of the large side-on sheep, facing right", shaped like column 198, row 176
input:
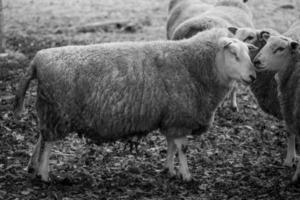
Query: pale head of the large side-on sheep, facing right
column 234, row 60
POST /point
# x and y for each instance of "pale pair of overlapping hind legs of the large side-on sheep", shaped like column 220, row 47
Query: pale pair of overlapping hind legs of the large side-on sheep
column 39, row 161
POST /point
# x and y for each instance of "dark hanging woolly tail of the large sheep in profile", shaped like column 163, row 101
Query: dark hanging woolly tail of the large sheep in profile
column 22, row 88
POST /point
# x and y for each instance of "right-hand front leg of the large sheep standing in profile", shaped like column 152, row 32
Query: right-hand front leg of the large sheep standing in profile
column 181, row 144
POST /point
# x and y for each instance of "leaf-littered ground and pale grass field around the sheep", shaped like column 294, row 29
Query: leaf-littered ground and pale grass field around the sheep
column 239, row 158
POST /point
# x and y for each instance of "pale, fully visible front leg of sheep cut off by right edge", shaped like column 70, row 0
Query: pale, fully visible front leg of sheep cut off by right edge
column 291, row 150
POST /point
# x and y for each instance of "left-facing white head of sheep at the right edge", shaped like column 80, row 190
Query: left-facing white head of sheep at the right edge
column 276, row 54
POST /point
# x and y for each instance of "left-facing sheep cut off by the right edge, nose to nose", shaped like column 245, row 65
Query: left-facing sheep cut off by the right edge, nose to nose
column 281, row 55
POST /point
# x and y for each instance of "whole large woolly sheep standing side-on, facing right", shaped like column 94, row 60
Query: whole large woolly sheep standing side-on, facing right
column 118, row 90
